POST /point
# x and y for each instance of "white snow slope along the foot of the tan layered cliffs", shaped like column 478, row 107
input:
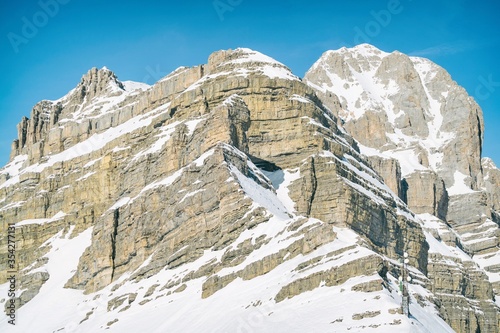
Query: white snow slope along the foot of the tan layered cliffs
column 242, row 306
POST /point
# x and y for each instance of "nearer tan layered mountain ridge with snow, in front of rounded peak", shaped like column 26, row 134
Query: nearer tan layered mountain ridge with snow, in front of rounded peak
column 230, row 174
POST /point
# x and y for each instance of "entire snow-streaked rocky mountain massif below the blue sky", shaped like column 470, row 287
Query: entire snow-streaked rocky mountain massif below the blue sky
column 236, row 197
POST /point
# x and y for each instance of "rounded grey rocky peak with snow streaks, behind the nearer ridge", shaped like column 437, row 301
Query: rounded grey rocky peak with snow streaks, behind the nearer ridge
column 402, row 105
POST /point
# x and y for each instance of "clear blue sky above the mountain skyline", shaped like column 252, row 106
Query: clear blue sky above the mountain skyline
column 145, row 40
